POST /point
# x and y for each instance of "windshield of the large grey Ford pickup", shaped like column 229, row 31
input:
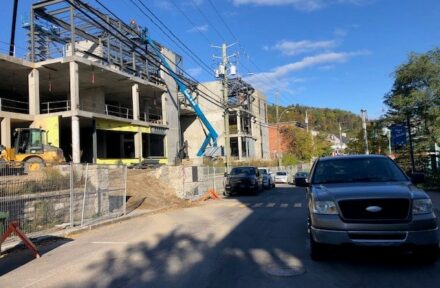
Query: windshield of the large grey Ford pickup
column 347, row 170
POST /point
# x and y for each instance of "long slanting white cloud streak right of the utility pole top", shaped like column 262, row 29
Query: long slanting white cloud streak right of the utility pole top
column 279, row 77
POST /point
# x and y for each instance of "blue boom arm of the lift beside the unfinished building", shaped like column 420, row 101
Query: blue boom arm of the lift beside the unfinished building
column 211, row 137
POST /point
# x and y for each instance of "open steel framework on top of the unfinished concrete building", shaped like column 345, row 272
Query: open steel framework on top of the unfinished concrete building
column 62, row 28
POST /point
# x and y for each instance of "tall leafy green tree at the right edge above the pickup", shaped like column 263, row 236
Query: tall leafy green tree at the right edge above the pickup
column 415, row 95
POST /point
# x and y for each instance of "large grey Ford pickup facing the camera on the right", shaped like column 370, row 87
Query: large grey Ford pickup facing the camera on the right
column 367, row 200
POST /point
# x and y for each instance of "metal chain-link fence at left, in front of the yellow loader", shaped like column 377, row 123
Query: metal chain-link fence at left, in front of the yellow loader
column 62, row 196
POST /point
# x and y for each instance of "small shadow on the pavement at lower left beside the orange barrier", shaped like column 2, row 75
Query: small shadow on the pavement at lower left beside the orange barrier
column 20, row 255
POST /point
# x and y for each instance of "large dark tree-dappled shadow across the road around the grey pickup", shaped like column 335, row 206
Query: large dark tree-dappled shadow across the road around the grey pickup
column 264, row 238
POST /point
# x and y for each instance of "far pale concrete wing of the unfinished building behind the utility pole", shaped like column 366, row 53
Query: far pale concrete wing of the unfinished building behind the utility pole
column 248, row 129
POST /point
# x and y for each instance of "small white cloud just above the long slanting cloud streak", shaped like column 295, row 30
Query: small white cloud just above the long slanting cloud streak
column 297, row 47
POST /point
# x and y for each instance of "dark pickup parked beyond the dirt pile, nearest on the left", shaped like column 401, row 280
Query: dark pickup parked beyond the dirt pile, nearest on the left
column 243, row 179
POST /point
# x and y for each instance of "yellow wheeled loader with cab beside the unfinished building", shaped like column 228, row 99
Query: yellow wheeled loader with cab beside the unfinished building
column 30, row 152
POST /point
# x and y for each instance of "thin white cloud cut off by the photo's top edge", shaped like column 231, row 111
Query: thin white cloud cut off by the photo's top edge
column 307, row 5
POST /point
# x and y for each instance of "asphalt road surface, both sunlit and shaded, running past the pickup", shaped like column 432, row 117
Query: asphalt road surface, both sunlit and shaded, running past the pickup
column 236, row 242
